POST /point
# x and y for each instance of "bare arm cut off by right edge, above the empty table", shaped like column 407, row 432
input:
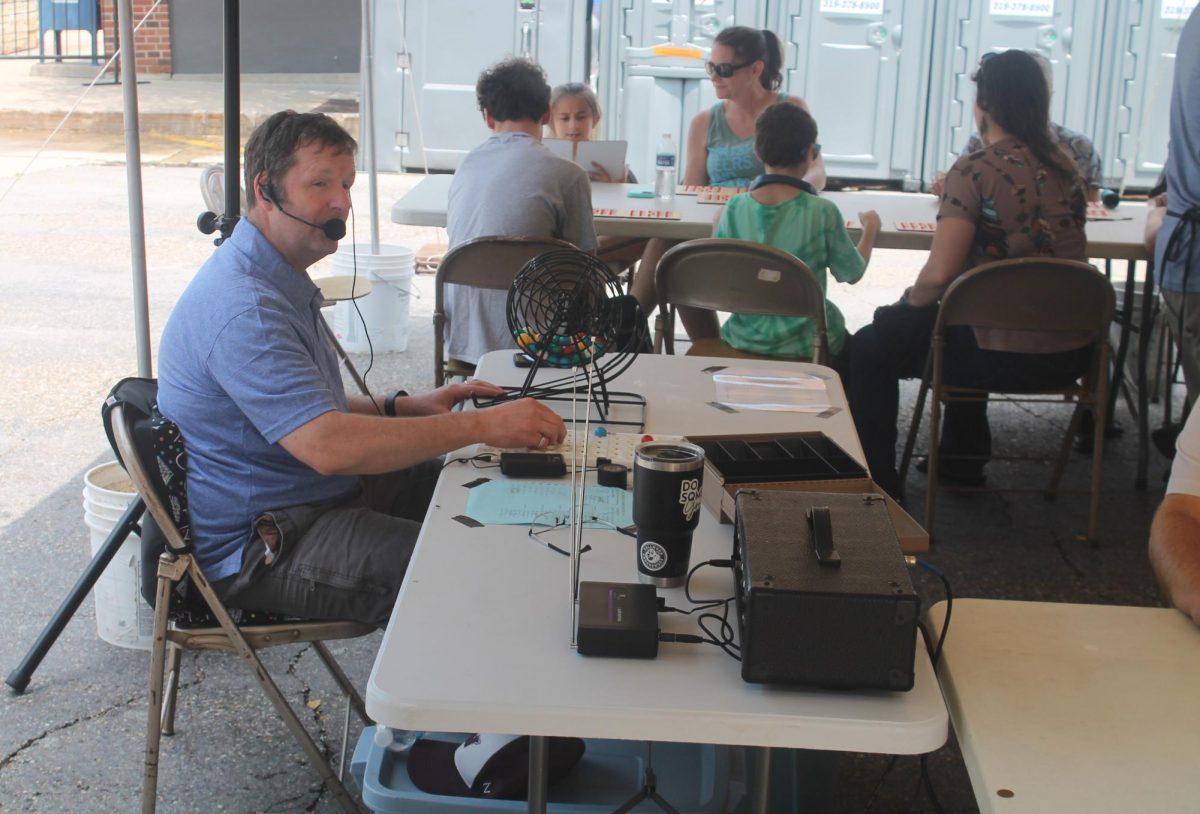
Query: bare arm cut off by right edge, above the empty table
column 1175, row 552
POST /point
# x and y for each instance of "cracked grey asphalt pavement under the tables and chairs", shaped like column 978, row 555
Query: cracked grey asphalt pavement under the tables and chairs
column 73, row 743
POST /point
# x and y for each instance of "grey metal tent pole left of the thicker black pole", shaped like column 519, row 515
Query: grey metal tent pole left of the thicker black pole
column 134, row 177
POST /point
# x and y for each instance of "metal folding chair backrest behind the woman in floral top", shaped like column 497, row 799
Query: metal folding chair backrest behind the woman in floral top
column 1034, row 295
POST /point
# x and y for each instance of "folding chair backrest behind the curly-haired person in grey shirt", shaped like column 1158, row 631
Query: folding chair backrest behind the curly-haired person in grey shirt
column 482, row 264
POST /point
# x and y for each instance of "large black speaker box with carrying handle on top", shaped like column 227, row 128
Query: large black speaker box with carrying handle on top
column 824, row 594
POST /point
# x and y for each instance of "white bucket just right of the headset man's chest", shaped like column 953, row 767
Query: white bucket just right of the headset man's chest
column 386, row 309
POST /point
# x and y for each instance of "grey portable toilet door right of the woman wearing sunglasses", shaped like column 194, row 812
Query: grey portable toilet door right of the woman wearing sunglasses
column 844, row 62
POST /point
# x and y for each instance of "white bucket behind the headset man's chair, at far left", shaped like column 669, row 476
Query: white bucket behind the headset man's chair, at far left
column 123, row 618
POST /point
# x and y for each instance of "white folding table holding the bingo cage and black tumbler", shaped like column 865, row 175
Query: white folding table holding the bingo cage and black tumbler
column 481, row 636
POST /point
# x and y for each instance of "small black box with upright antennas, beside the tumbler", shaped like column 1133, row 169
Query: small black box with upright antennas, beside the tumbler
column 619, row 620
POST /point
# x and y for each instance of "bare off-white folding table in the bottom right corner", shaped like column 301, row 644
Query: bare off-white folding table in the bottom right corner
column 1075, row 708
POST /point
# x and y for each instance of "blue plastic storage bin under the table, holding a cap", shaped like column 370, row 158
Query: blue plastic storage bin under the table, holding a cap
column 694, row 779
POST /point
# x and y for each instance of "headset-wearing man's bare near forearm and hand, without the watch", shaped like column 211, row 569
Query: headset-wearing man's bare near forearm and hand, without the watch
column 350, row 444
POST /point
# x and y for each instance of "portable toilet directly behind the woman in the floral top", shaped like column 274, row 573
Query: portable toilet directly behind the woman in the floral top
column 1069, row 33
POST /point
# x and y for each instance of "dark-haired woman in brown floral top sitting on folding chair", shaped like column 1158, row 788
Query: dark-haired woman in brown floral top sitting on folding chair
column 1019, row 196
